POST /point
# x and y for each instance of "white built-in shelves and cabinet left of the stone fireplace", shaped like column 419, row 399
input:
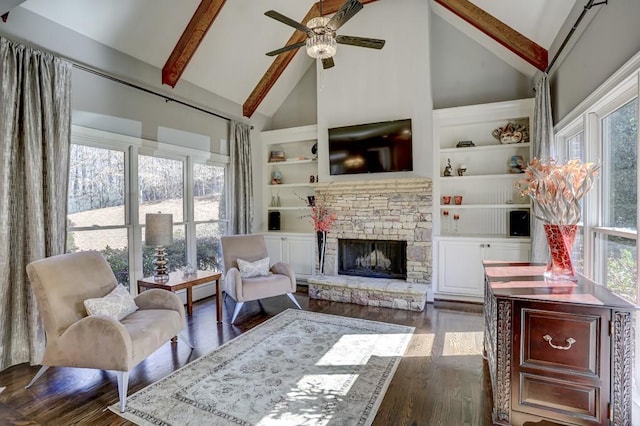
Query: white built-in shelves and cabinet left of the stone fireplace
column 294, row 242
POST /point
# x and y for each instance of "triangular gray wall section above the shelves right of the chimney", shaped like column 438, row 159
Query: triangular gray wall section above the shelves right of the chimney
column 464, row 72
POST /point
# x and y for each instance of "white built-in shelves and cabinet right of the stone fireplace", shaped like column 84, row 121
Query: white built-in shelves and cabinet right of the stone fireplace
column 487, row 190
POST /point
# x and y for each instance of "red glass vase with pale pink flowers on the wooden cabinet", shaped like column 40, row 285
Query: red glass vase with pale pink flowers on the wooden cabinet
column 555, row 191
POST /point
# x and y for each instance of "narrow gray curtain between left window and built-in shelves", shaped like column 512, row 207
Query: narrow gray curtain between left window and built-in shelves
column 241, row 179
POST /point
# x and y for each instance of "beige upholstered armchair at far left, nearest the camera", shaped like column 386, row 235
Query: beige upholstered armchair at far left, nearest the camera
column 63, row 283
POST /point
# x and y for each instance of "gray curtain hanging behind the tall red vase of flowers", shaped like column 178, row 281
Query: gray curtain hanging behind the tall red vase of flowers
column 542, row 137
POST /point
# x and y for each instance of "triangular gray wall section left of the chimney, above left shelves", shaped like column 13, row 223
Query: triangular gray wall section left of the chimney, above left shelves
column 300, row 108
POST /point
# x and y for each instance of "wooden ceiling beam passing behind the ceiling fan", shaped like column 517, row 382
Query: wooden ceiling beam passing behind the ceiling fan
column 281, row 61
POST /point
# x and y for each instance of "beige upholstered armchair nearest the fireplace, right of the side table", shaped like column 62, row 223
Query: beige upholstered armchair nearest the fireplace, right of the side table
column 280, row 278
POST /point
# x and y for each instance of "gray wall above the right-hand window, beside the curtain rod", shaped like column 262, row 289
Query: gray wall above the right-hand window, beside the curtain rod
column 609, row 38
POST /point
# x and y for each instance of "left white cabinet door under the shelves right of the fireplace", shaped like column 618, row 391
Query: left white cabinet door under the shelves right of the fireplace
column 460, row 268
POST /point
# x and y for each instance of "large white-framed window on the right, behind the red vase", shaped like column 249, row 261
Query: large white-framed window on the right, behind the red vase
column 605, row 129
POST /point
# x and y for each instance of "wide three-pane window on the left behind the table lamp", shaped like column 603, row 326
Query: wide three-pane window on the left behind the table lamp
column 114, row 183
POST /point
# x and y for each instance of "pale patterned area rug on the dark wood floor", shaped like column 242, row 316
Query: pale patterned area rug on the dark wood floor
column 297, row 368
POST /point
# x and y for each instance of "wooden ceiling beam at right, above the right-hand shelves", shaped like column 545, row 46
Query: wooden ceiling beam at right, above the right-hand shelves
column 522, row 46
